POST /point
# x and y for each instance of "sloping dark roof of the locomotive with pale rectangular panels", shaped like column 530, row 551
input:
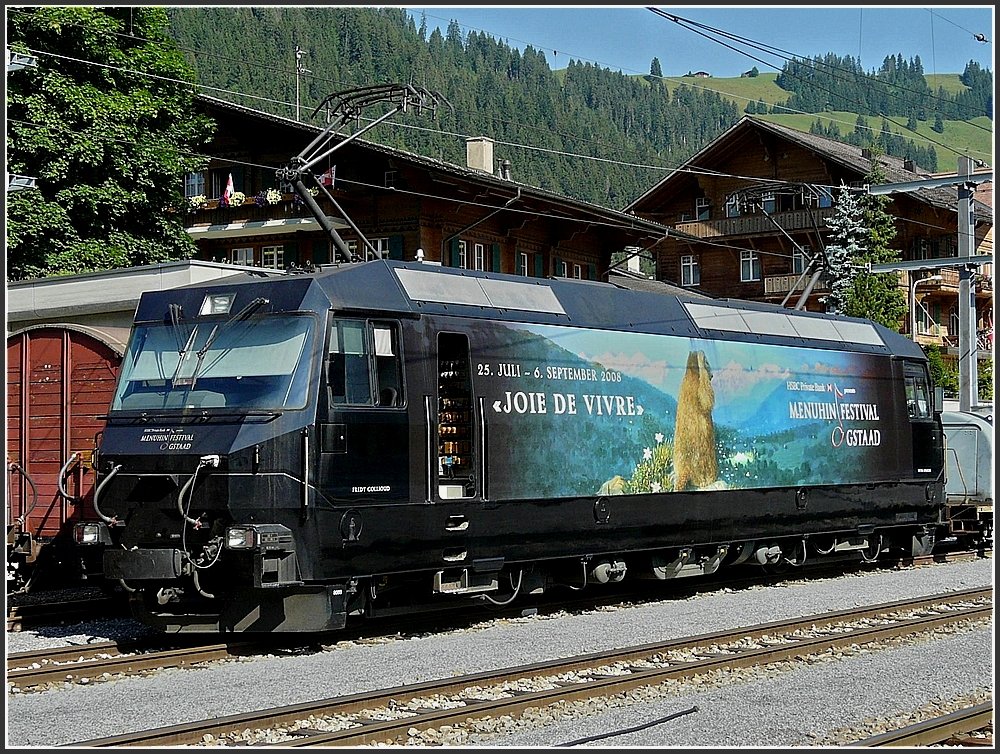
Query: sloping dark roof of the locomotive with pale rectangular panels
column 412, row 289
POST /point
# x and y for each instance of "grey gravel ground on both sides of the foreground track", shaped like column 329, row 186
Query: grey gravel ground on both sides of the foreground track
column 793, row 707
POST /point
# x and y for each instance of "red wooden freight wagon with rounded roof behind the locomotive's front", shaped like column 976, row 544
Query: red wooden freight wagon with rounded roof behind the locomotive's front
column 60, row 380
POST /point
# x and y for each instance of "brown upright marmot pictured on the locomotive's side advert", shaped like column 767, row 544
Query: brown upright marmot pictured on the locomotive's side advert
column 694, row 434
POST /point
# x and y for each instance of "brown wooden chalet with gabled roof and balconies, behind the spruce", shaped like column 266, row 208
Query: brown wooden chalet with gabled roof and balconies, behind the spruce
column 752, row 208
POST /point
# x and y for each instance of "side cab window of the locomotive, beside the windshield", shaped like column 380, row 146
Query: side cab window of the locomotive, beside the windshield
column 364, row 366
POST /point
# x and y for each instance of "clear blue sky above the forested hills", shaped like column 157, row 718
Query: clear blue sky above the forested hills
column 627, row 38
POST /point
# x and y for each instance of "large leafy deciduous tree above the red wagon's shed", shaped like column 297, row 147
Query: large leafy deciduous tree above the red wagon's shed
column 106, row 125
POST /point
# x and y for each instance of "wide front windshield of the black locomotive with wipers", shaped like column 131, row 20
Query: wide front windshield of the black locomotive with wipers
column 253, row 363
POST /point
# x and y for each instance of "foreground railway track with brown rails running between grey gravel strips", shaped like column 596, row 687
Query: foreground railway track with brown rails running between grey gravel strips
column 398, row 715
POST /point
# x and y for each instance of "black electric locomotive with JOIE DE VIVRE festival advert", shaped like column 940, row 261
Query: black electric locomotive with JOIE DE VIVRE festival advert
column 284, row 454
